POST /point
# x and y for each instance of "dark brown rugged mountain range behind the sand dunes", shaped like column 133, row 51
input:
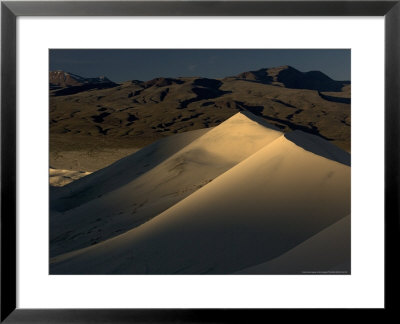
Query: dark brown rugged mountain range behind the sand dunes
column 86, row 112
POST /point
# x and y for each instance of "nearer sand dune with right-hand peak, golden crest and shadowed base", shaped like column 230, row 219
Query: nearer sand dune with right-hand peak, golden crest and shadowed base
column 259, row 209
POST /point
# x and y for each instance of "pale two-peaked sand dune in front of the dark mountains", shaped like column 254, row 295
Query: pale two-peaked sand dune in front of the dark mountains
column 272, row 192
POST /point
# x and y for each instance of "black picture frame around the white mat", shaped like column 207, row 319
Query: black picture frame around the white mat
column 10, row 10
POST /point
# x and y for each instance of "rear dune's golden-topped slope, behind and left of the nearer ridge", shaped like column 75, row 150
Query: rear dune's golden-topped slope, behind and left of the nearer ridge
column 134, row 202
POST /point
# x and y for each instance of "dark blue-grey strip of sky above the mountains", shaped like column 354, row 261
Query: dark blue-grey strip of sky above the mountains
column 128, row 64
